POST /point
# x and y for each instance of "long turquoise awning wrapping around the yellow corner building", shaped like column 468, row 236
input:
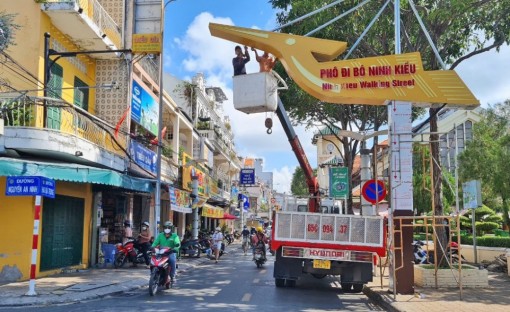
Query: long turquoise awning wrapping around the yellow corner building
column 73, row 173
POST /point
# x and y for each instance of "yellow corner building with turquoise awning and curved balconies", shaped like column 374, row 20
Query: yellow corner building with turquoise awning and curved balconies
column 57, row 132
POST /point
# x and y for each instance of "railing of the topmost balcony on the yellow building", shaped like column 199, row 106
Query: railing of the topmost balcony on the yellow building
column 95, row 11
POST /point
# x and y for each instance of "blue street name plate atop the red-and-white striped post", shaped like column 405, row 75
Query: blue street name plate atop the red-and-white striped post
column 30, row 186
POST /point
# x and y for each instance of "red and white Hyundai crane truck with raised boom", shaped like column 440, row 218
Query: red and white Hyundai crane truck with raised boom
column 319, row 243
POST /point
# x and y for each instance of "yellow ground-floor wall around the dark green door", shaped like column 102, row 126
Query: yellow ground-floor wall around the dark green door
column 17, row 215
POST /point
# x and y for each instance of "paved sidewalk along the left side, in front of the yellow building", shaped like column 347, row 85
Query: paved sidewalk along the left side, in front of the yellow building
column 75, row 286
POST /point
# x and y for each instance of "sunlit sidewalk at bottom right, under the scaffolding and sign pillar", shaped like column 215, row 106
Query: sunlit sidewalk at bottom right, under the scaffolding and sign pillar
column 495, row 298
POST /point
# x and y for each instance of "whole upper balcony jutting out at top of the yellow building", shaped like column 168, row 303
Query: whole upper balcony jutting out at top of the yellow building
column 86, row 23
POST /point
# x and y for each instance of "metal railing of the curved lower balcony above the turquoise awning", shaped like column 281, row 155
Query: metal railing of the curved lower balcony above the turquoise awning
column 25, row 111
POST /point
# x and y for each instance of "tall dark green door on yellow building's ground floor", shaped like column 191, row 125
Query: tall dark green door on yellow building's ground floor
column 62, row 232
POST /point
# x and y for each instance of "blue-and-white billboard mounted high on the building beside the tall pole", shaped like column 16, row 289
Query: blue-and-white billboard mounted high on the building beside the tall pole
column 144, row 108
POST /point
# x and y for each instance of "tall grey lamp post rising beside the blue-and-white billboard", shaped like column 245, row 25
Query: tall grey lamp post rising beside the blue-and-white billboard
column 157, row 205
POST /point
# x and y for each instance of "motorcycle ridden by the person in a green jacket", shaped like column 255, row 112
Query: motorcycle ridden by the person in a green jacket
column 160, row 270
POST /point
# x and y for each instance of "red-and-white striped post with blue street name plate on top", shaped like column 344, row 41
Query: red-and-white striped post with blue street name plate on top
column 38, row 187
